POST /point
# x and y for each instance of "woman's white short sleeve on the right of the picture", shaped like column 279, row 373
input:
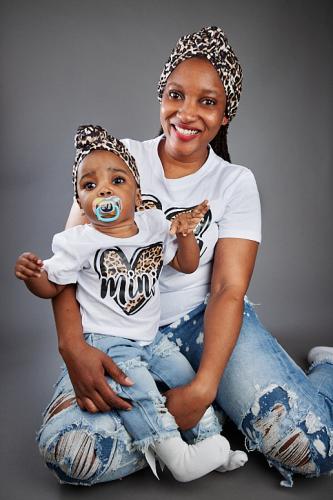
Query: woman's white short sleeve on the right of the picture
column 242, row 214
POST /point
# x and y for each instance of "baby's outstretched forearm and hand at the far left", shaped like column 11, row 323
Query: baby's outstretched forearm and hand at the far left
column 29, row 269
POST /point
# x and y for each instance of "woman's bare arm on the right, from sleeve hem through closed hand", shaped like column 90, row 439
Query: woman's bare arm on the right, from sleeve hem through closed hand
column 234, row 261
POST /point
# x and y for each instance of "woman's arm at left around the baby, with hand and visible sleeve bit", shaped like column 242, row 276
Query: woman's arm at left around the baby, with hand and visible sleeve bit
column 87, row 366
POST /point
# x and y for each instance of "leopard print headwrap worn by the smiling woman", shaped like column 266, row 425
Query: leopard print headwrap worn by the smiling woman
column 211, row 43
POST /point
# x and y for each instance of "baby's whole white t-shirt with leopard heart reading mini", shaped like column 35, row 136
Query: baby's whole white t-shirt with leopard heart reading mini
column 117, row 278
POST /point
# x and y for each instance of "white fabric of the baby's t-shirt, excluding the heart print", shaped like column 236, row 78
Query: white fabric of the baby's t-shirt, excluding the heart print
column 77, row 252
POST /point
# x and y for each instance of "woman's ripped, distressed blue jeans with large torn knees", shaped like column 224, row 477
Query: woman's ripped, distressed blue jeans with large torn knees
column 284, row 413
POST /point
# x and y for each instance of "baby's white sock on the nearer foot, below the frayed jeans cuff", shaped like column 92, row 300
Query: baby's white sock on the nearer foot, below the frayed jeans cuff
column 187, row 462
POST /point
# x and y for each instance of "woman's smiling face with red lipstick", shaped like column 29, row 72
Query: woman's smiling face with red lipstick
column 192, row 109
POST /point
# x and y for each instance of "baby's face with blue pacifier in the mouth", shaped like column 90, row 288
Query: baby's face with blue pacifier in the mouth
column 102, row 175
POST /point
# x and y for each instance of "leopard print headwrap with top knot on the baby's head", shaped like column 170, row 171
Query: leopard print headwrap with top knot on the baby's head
column 91, row 137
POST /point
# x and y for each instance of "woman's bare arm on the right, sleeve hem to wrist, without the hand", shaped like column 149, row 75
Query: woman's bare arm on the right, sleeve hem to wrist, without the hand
column 234, row 261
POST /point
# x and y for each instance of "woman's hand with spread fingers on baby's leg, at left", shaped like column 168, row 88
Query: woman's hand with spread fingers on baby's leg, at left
column 87, row 368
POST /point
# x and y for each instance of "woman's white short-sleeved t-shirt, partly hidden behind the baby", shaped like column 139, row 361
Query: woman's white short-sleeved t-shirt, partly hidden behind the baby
column 234, row 213
